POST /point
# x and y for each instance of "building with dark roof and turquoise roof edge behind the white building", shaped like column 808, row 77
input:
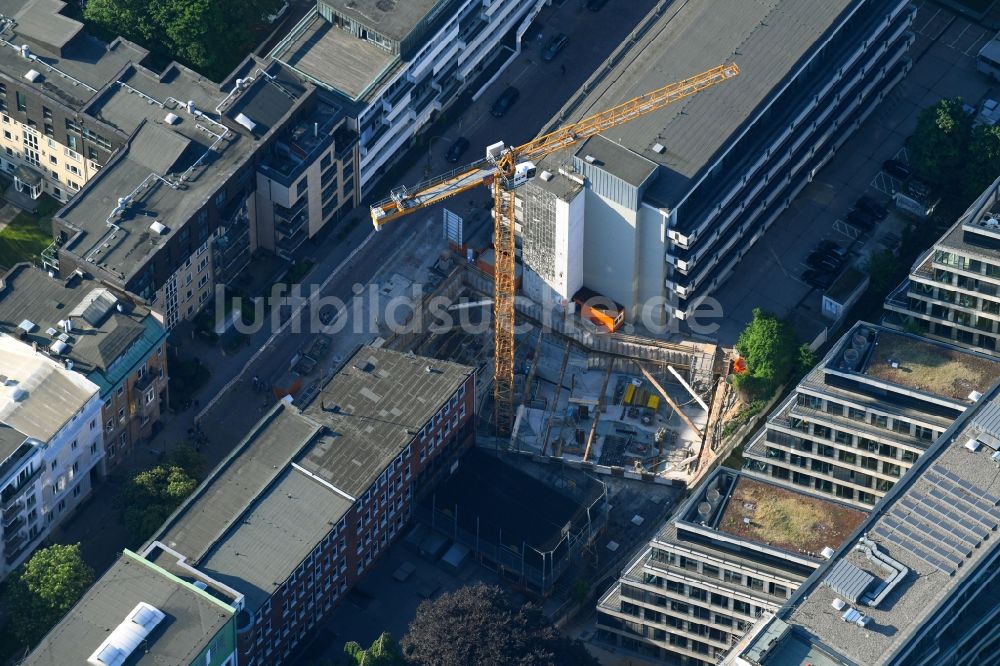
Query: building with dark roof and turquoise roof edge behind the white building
column 102, row 334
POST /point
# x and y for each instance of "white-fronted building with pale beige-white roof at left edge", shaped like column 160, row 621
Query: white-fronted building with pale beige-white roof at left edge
column 50, row 441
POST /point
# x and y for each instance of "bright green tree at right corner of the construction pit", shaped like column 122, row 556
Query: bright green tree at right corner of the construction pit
column 768, row 346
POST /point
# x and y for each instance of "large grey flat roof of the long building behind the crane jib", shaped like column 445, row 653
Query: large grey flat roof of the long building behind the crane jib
column 767, row 41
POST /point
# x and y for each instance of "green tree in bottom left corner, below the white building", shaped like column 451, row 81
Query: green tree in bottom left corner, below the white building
column 44, row 588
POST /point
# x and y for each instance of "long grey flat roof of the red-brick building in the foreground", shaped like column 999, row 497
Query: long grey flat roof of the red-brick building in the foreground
column 265, row 507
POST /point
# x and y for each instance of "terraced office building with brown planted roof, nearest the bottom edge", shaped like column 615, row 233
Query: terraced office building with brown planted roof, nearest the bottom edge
column 735, row 551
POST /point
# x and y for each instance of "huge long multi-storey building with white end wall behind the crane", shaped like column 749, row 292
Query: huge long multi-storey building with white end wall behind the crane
column 656, row 213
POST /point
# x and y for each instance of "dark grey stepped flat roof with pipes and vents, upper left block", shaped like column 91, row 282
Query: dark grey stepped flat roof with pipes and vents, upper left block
column 171, row 170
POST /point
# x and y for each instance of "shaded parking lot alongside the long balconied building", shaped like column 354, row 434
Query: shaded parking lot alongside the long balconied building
column 769, row 276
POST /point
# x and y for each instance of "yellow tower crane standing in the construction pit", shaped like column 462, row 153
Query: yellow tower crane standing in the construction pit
column 505, row 169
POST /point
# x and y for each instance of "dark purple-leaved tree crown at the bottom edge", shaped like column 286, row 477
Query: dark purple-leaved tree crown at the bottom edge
column 480, row 625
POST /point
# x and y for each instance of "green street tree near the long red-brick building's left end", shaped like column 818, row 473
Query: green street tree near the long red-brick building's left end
column 151, row 496
